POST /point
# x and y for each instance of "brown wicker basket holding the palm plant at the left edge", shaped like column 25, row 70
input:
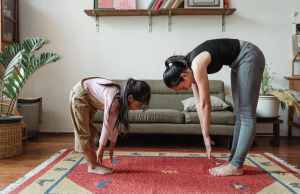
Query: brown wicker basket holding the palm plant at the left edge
column 10, row 139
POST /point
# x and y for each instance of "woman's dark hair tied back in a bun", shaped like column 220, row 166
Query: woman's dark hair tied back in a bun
column 175, row 65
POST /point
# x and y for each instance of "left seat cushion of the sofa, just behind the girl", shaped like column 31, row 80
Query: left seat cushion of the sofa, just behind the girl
column 150, row 116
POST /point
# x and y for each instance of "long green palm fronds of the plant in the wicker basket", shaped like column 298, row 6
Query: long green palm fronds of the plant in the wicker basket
column 20, row 62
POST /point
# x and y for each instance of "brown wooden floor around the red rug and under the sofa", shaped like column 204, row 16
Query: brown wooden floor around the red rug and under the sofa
column 40, row 149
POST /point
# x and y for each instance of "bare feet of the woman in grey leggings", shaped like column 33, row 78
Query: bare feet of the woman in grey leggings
column 226, row 170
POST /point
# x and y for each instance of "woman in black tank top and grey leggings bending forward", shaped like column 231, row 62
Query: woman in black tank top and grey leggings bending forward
column 247, row 65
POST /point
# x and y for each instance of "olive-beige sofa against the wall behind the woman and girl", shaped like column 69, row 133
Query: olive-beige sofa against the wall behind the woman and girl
column 166, row 116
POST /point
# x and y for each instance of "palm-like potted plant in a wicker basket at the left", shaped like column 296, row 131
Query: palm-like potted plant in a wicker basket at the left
column 18, row 62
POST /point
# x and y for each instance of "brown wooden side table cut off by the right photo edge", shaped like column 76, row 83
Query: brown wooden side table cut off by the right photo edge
column 294, row 84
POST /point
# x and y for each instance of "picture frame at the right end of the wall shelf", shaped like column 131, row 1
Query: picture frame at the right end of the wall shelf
column 203, row 4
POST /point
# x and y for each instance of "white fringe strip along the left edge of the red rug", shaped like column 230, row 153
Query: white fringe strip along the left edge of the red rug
column 11, row 187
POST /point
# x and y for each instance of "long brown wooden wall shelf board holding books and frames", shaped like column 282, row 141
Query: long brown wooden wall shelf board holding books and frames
column 145, row 12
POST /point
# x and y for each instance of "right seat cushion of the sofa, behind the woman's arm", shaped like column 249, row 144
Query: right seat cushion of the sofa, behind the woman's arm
column 220, row 118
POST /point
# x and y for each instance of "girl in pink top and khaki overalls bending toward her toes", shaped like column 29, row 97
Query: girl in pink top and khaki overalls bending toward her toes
column 92, row 94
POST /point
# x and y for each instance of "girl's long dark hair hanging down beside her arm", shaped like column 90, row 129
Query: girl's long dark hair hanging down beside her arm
column 140, row 91
